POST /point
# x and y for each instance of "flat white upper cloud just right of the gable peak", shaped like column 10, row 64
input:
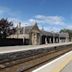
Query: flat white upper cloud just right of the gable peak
column 57, row 20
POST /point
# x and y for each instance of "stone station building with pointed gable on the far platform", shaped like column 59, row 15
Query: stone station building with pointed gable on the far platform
column 34, row 36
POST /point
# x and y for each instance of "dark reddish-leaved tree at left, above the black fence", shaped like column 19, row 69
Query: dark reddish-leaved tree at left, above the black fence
column 5, row 28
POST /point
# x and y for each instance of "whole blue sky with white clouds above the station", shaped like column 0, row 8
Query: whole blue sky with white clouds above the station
column 52, row 15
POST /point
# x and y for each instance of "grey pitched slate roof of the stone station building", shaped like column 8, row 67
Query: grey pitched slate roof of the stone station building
column 27, row 30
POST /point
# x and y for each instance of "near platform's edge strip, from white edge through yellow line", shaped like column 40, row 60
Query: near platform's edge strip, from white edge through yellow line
column 56, row 65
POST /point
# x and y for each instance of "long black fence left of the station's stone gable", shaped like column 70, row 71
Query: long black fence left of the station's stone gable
column 13, row 42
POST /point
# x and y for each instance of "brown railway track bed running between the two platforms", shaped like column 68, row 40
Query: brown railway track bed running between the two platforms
column 30, row 63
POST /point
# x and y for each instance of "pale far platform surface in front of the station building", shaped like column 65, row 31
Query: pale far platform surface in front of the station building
column 9, row 49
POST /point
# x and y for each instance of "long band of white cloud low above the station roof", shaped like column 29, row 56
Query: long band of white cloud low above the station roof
column 41, row 22
